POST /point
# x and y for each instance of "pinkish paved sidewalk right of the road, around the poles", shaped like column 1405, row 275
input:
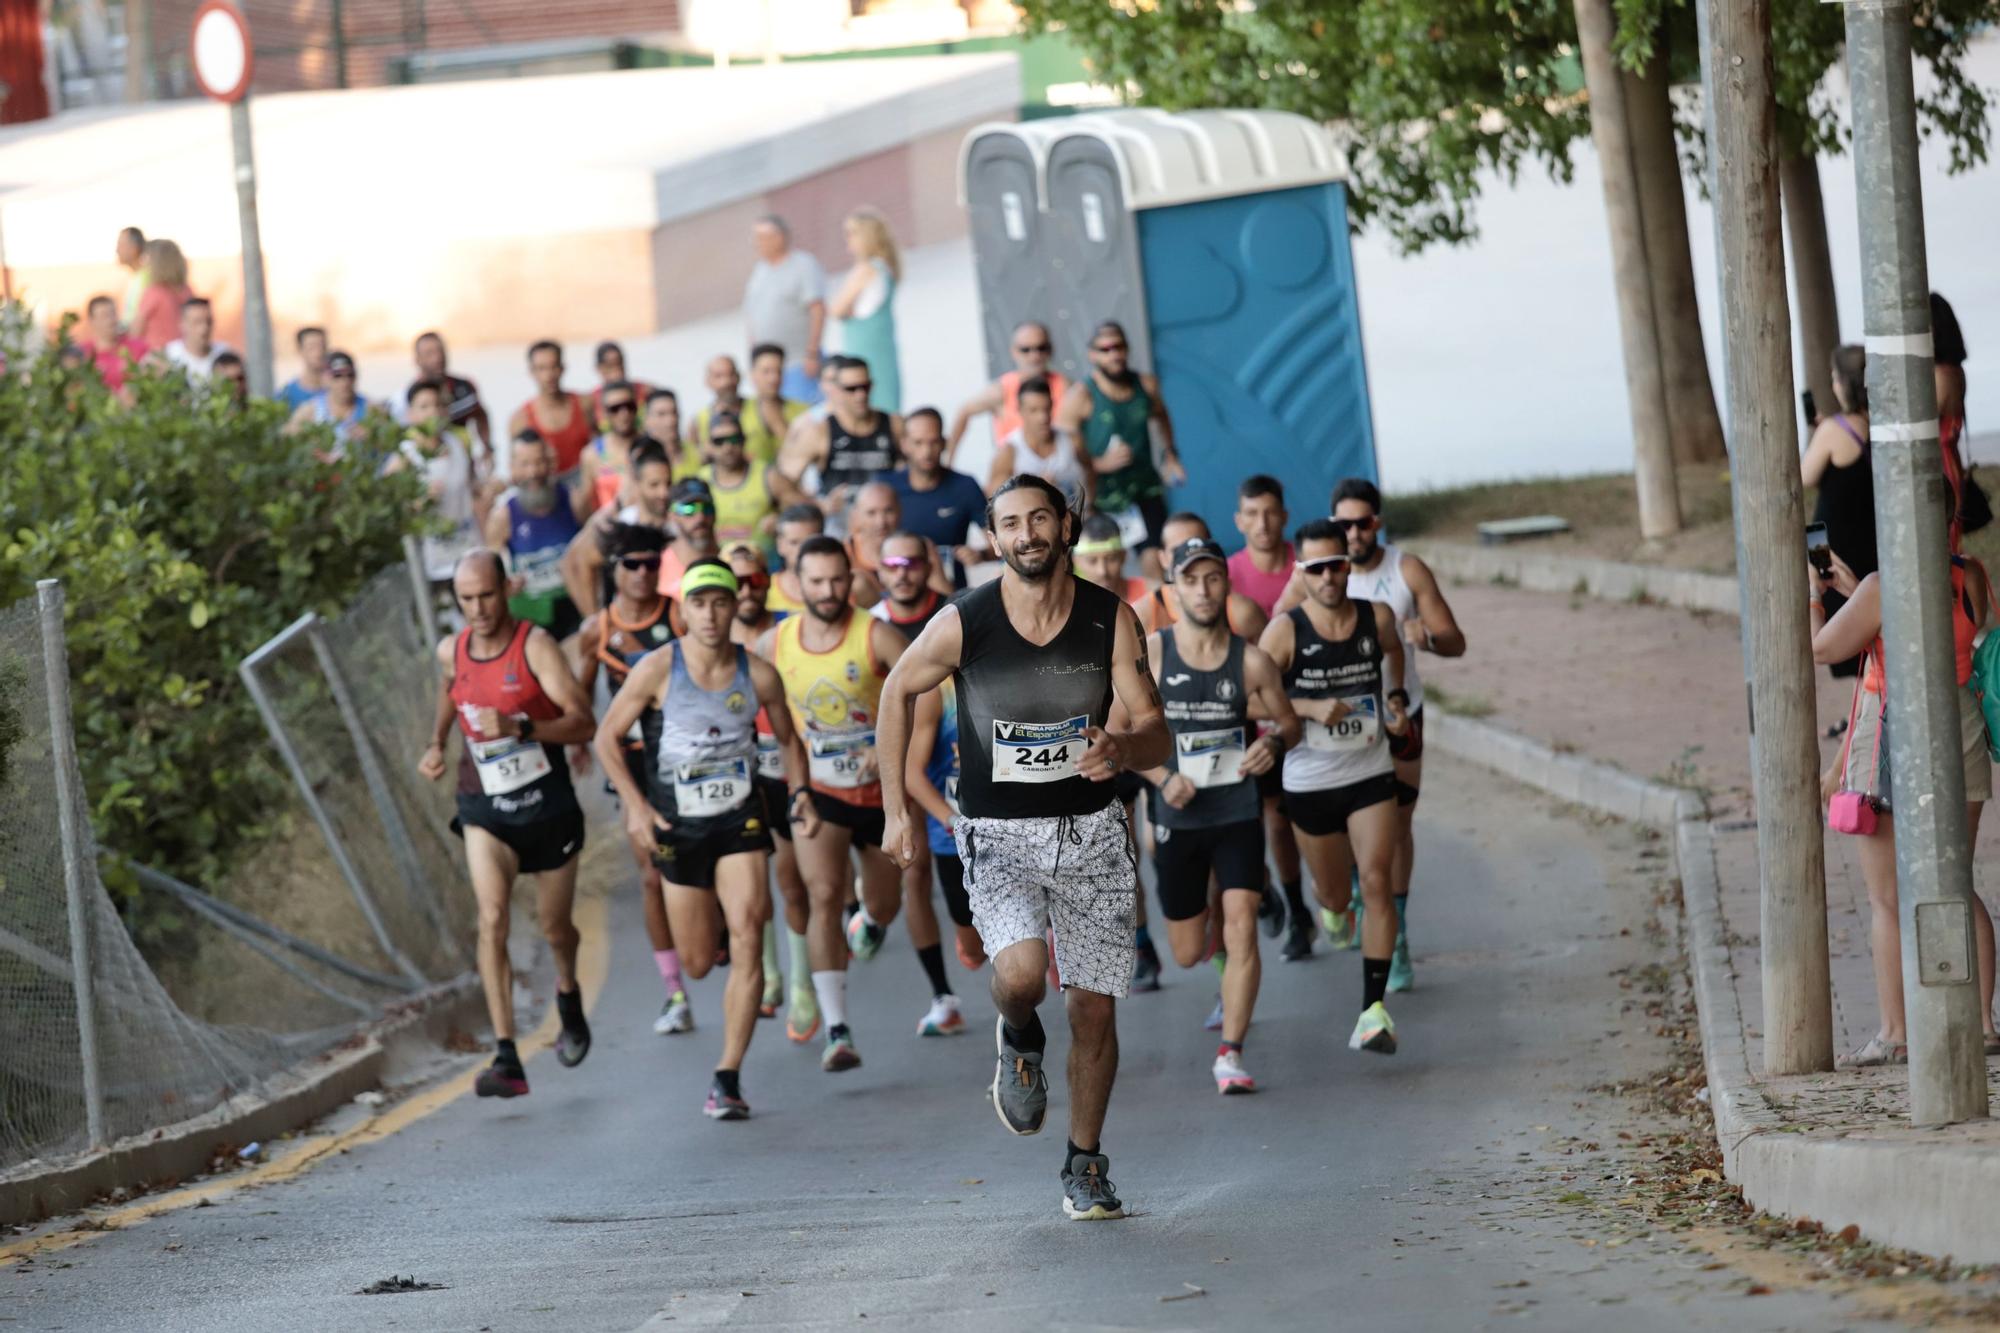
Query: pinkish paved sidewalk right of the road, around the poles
column 1659, row 694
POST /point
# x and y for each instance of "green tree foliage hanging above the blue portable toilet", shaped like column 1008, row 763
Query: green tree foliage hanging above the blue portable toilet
column 1423, row 95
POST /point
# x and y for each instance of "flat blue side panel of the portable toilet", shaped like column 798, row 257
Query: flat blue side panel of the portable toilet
column 1259, row 347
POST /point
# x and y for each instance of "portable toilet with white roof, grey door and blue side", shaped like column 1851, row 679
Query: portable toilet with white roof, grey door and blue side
column 1221, row 243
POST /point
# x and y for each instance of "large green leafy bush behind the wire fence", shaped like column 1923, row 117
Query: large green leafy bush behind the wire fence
column 185, row 531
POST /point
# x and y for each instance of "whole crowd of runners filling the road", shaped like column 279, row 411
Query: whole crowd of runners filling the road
column 835, row 682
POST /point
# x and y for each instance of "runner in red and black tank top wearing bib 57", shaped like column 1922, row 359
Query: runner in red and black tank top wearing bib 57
column 513, row 698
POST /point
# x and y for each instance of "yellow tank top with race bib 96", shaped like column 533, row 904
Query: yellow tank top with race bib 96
column 833, row 698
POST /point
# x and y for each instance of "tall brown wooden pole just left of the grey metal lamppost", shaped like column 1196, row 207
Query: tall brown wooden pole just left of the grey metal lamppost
column 1769, row 503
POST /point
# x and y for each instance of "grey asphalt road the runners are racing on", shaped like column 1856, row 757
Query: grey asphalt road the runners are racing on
column 1417, row 1192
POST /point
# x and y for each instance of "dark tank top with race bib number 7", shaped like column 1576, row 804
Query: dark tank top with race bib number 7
column 1209, row 714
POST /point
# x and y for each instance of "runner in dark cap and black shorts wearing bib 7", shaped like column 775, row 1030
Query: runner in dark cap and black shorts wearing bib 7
column 1205, row 806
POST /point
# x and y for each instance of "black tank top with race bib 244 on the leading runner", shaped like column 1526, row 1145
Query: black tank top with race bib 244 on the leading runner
column 1023, row 710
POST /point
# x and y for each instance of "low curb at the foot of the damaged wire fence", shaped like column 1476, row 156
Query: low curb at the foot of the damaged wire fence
column 43, row 1190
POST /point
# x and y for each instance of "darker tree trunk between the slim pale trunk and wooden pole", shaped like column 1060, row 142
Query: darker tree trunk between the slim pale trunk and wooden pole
column 1691, row 397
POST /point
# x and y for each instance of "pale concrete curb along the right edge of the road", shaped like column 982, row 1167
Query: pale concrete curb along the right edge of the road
column 1901, row 1186
